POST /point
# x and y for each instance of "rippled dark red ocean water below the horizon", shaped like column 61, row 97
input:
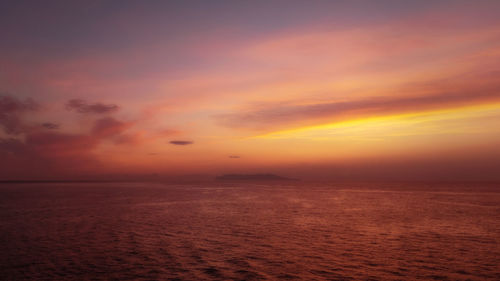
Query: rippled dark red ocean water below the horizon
column 249, row 231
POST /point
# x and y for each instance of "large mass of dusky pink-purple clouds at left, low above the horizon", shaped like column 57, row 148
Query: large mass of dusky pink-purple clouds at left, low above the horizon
column 43, row 151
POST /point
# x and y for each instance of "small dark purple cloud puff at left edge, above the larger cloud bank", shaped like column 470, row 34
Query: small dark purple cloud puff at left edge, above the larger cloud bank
column 11, row 110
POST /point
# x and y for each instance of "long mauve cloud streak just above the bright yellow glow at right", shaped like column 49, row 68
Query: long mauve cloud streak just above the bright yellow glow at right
column 275, row 117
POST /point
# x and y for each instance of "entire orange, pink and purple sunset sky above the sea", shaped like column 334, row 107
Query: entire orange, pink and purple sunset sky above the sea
column 341, row 90
